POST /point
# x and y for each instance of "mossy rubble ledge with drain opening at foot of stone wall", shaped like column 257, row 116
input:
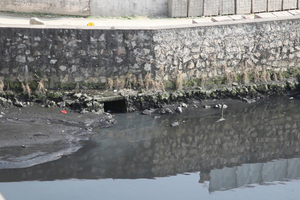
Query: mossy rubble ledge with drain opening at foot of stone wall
column 129, row 100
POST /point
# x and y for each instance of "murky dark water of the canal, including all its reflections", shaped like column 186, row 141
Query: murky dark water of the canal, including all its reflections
column 253, row 154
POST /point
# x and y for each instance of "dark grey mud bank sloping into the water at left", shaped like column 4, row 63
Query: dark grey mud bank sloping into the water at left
column 33, row 135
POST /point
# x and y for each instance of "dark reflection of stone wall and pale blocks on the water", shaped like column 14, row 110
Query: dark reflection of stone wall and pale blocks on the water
column 229, row 154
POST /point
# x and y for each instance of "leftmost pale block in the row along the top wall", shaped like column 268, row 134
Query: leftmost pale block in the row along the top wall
column 177, row 8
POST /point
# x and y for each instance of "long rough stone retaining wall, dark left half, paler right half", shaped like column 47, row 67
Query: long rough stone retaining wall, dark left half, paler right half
column 87, row 57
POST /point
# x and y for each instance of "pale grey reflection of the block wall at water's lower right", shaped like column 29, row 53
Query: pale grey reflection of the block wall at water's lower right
column 247, row 174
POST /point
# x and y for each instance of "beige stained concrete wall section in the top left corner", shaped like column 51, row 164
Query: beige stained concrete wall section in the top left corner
column 67, row 7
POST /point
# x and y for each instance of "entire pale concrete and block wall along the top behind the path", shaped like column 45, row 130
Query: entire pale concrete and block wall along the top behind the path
column 173, row 8
